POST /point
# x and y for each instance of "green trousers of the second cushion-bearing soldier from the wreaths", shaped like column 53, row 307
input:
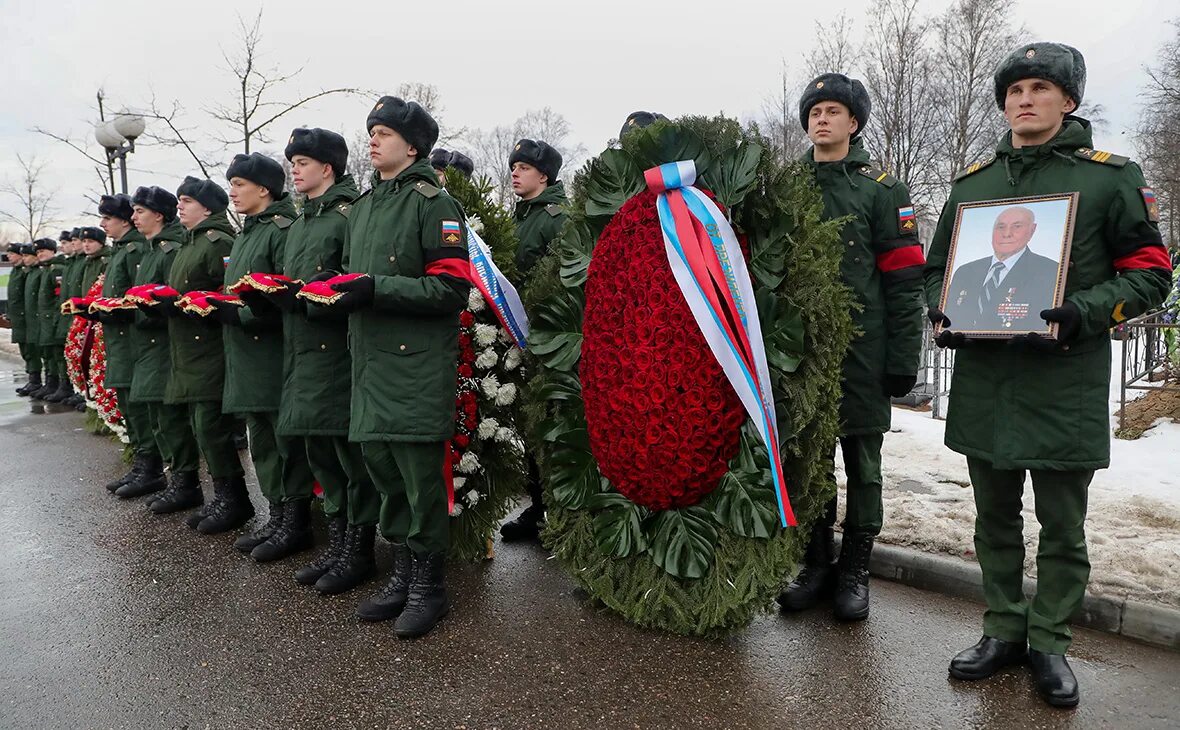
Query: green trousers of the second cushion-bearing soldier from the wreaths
column 339, row 466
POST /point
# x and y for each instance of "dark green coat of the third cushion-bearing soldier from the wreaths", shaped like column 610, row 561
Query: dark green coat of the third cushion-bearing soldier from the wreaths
column 254, row 352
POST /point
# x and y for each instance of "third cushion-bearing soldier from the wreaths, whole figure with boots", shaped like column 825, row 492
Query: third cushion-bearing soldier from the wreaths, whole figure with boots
column 254, row 357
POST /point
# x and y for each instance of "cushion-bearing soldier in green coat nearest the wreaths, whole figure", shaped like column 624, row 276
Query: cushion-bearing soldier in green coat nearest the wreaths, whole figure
column 408, row 238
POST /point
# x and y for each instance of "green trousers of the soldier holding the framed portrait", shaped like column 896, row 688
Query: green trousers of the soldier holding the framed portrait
column 1063, row 565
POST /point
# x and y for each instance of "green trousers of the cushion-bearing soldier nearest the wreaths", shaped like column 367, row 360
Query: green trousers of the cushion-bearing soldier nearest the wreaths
column 409, row 477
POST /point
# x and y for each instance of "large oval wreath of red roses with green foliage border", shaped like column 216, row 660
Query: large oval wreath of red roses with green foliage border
column 659, row 488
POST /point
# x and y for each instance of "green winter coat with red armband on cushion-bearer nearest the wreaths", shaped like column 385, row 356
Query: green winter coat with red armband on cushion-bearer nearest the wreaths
column 407, row 346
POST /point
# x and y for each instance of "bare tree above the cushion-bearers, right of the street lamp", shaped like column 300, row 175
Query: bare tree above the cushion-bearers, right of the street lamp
column 254, row 108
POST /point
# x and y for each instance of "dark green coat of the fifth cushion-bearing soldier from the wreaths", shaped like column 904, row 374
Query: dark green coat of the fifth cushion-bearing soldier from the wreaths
column 149, row 336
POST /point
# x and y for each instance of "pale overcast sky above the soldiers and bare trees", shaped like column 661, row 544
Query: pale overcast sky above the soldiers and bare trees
column 491, row 61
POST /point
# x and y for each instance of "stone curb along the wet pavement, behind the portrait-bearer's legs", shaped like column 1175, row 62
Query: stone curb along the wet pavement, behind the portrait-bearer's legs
column 1149, row 623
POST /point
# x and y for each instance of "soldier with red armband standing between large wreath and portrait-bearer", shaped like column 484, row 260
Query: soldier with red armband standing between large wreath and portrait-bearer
column 882, row 265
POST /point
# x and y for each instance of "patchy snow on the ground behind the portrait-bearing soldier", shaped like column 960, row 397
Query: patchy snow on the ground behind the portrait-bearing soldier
column 1133, row 524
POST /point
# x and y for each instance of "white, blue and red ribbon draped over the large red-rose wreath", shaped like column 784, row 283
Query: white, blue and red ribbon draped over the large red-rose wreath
column 711, row 271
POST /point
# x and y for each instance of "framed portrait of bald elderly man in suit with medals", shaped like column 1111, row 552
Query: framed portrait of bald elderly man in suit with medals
column 1007, row 264
